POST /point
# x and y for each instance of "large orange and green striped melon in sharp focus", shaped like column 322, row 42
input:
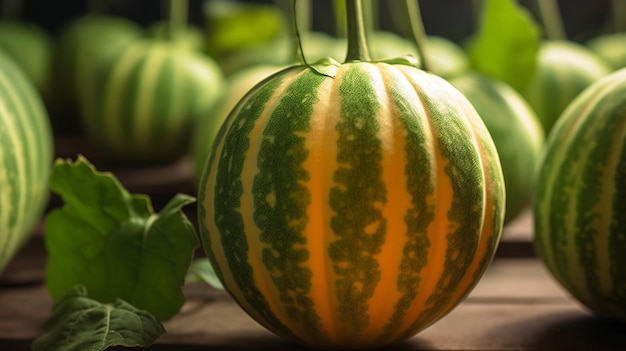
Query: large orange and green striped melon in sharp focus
column 351, row 212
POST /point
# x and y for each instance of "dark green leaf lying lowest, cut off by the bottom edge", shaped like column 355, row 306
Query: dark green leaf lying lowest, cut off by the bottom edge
column 78, row 323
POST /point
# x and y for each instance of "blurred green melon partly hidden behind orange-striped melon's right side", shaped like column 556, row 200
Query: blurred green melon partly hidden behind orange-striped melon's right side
column 516, row 131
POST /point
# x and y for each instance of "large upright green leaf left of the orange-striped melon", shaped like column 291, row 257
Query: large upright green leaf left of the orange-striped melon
column 113, row 243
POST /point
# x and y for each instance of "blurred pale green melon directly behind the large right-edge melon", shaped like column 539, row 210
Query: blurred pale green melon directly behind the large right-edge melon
column 563, row 70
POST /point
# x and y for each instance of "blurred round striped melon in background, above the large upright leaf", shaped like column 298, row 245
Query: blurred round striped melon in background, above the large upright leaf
column 144, row 102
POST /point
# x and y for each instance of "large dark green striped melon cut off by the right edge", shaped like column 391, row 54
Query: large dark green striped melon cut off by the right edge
column 580, row 226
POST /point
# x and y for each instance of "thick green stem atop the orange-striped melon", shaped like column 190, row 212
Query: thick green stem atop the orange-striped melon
column 357, row 38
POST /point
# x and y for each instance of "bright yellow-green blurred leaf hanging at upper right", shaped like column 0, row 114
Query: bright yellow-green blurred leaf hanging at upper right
column 506, row 44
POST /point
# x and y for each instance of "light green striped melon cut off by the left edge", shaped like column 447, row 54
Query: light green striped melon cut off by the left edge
column 25, row 158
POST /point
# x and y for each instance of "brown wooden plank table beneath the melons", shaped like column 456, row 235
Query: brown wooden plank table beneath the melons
column 516, row 306
